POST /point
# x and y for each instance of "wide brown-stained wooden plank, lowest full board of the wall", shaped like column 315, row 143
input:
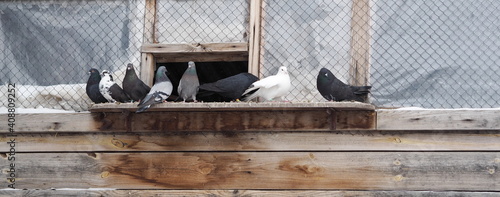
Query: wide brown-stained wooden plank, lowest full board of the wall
column 464, row 171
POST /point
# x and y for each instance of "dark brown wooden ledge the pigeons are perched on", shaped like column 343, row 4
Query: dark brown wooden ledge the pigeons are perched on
column 236, row 116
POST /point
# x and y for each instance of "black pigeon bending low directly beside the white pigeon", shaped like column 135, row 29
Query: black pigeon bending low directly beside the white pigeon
column 231, row 87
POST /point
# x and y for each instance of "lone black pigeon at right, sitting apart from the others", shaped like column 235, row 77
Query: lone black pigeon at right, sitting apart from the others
column 332, row 89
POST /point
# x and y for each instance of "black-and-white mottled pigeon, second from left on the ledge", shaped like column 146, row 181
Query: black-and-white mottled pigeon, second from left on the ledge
column 110, row 90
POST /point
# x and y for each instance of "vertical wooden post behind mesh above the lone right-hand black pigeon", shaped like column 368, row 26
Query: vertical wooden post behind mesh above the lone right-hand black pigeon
column 359, row 51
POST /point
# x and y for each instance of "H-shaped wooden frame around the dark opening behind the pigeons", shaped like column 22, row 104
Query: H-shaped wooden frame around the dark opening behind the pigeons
column 153, row 52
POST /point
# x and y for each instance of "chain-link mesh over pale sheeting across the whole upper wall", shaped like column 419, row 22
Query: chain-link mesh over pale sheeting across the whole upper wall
column 432, row 54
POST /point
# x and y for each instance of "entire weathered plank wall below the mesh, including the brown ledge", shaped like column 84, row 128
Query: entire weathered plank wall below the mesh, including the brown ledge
column 325, row 151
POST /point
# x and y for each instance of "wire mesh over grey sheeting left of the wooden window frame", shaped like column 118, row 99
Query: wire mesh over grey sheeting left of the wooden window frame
column 48, row 47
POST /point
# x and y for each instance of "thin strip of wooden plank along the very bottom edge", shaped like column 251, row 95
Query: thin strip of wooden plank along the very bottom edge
column 236, row 192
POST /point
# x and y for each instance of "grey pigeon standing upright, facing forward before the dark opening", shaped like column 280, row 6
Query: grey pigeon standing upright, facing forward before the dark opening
column 188, row 85
